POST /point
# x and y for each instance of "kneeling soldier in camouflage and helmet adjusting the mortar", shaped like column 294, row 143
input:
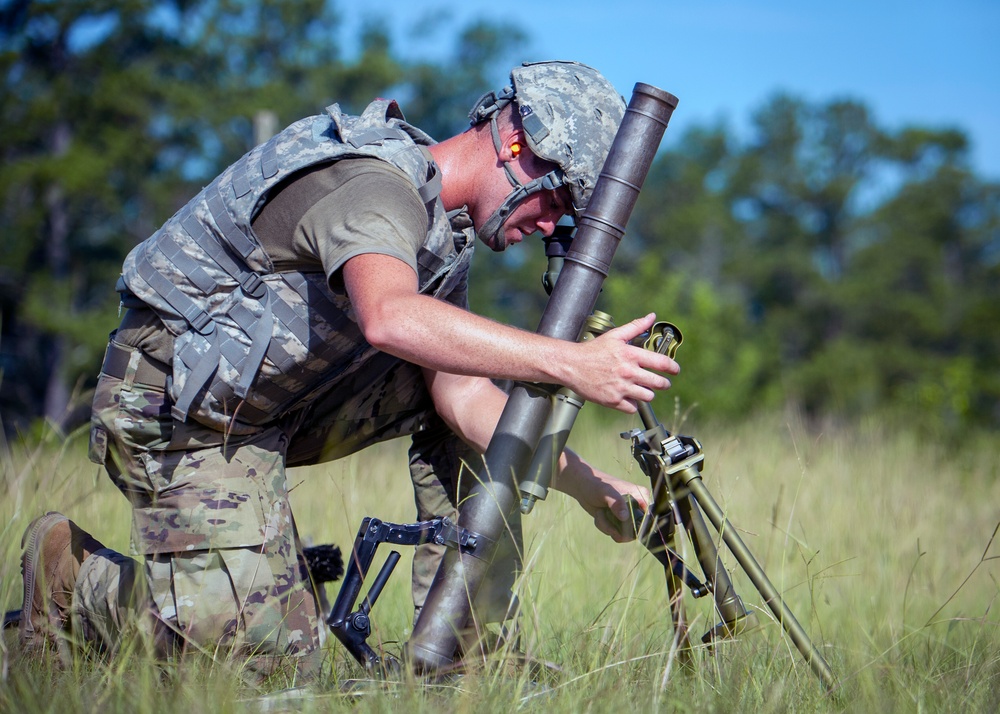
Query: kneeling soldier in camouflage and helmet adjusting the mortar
column 309, row 302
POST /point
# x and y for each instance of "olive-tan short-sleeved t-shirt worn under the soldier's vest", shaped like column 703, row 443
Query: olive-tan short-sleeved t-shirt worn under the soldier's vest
column 315, row 222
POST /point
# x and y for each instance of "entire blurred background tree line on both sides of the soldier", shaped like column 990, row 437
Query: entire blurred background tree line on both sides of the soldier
column 821, row 261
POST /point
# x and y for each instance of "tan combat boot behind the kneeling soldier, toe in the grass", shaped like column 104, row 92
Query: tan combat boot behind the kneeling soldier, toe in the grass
column 54, row 549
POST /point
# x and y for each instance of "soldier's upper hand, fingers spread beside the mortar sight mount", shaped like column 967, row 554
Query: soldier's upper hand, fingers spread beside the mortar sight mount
column 616, row 374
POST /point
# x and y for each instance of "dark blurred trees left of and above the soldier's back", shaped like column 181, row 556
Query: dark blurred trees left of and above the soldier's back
column 114, row 112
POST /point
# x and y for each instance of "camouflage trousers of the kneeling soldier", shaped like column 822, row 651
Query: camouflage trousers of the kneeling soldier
column 213, row 534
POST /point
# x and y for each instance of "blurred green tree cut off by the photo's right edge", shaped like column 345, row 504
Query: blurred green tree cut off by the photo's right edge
column 922, row 296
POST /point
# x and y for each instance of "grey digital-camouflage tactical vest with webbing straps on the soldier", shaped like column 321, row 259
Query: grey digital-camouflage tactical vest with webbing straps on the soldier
column 251, row 344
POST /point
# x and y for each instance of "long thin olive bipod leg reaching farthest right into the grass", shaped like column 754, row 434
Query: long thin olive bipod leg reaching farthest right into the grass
column 691, row 478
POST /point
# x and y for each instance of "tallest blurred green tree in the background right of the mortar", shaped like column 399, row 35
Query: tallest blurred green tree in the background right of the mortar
column 794, row 191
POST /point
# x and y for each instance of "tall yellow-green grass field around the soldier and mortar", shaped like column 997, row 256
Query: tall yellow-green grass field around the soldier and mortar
column 880, row 541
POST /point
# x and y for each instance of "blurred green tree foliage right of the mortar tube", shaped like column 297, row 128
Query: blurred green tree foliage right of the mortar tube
column 849, row 268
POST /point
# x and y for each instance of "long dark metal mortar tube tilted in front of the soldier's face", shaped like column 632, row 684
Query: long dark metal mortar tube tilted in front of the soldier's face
column 494, row 501
